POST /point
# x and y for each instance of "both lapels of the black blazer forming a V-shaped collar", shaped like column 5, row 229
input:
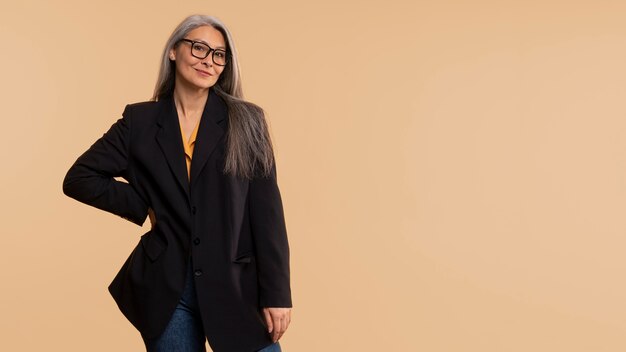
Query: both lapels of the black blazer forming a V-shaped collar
column 210, row 131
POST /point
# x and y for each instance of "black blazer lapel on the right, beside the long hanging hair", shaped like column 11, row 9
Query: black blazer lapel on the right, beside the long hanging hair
column 209, row 134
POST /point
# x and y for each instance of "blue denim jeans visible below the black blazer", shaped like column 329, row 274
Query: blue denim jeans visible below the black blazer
column 184, row 332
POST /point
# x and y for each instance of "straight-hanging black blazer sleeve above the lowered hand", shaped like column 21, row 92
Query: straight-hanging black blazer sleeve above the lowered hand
column 270, row 240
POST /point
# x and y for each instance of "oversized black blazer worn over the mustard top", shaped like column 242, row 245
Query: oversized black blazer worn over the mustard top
column 233, row 229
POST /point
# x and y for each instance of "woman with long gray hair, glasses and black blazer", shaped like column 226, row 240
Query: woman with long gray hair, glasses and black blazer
column 198, row 162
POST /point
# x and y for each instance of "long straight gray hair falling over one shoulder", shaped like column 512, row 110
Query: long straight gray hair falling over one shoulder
column 249, row 147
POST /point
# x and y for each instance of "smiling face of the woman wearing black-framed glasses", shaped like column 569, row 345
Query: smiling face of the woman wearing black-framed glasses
column 193, row 72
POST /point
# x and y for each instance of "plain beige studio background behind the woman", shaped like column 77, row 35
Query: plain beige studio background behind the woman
column 453, row 172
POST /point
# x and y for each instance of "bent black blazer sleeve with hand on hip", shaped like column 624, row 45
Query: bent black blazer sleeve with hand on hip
column 90, row 179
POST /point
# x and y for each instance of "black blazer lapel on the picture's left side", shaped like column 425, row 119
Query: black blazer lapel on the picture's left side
column 171, row 142
